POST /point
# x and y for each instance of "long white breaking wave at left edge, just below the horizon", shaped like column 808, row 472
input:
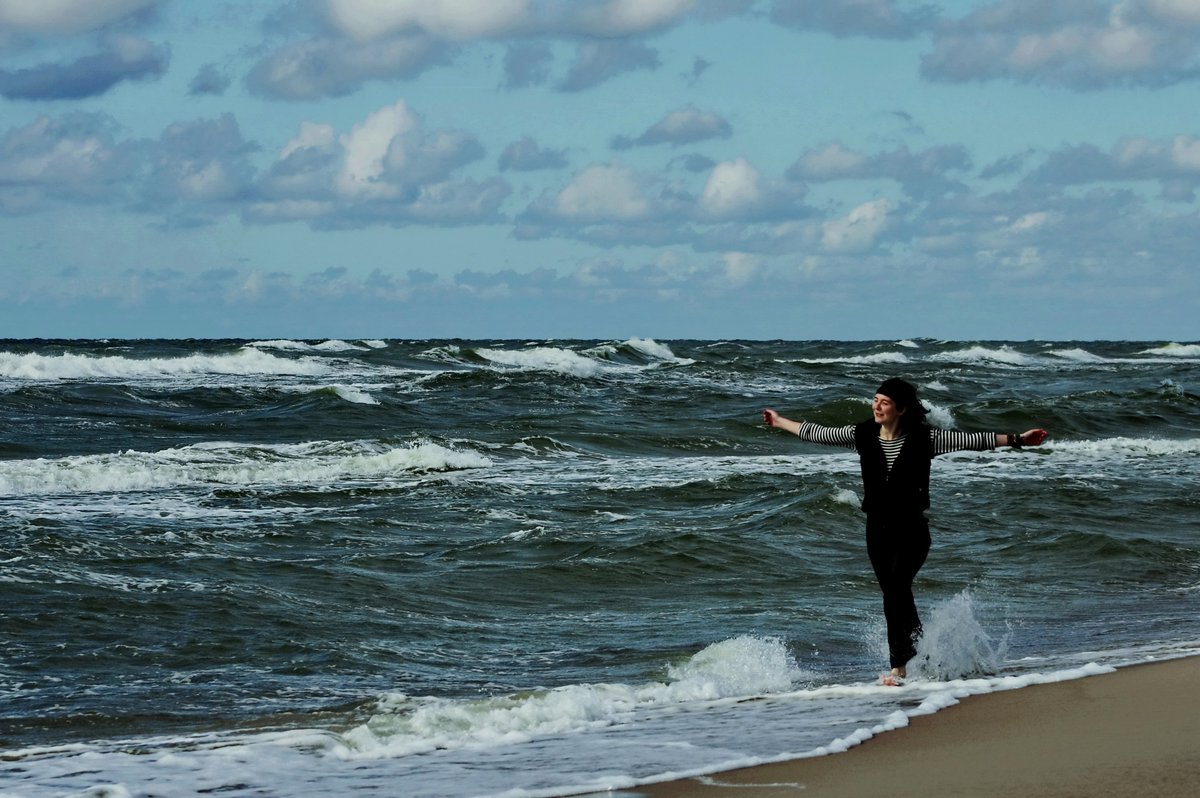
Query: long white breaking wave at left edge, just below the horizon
column 68, row 367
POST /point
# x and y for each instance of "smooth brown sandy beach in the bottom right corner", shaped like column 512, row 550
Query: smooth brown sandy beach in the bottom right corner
column 1135, row 733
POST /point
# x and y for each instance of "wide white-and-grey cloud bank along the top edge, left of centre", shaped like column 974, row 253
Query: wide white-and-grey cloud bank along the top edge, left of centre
column 356, row 41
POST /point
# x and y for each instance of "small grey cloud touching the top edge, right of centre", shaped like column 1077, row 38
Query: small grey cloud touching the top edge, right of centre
column 874, row 19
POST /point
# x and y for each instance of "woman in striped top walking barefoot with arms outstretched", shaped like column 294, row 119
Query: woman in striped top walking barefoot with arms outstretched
column 896, row 448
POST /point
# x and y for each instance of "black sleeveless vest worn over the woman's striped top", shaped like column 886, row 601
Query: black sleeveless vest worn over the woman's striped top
column 905, row 490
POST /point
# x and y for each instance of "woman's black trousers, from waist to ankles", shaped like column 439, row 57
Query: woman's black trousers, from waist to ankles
column 898, row 549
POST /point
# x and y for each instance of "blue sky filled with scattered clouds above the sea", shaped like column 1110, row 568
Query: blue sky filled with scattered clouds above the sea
column 800, row 170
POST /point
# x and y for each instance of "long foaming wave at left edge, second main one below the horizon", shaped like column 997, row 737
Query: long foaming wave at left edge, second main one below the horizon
column 226, row 464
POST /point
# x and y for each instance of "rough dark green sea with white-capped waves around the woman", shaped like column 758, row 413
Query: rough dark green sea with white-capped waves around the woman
column 544, row 568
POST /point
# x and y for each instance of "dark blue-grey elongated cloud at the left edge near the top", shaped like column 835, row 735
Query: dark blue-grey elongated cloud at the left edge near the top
column 127, row 58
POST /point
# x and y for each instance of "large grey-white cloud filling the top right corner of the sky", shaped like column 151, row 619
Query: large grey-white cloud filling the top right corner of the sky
column 1083, row 45
